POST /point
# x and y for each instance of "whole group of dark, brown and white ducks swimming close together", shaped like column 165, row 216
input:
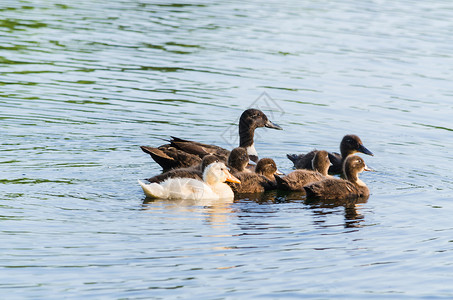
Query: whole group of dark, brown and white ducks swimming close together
column 197, row 171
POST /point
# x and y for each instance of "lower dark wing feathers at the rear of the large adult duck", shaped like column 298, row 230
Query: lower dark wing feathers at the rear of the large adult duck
column 171, row 158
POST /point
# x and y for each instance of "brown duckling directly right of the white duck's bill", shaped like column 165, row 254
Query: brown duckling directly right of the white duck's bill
column 263, row 179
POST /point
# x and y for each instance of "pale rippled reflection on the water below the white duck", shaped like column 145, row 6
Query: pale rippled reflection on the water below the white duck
column 216, row 213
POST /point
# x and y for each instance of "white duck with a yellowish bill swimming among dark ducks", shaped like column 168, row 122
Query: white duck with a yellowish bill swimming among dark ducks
column 212, row 187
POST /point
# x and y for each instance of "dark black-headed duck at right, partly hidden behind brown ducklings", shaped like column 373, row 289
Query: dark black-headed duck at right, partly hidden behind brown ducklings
column 349, row 145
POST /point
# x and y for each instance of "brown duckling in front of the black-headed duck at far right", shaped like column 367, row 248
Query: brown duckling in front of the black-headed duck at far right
column 341, row 189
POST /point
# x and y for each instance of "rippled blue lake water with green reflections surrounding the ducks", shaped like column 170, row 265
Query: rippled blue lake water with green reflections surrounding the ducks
column 84, row 83
